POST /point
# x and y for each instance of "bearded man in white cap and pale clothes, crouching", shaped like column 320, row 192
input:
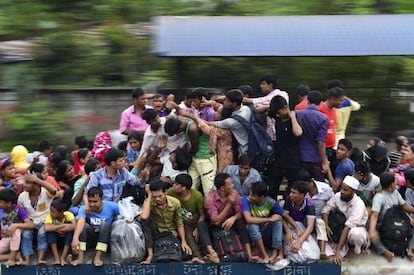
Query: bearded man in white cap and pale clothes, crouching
column 355, row 233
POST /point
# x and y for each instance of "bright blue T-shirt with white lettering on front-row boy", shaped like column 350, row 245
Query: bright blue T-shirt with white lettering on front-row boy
column 109, row 211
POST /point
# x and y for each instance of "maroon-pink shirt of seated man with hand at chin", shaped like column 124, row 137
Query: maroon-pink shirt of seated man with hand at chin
column 215, row 205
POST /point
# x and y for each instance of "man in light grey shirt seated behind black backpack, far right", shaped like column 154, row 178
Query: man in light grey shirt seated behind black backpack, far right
column 384, row 200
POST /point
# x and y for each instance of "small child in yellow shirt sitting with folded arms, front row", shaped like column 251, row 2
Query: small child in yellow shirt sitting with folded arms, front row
column 59, row 227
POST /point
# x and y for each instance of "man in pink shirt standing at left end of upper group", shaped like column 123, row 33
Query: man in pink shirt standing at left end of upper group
column 131, row 119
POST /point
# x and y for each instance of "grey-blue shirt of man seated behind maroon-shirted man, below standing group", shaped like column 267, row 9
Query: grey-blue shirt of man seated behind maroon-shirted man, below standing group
column 252, row 177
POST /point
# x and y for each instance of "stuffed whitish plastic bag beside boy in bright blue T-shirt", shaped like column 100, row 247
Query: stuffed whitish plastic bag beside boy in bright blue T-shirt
column 127, row 238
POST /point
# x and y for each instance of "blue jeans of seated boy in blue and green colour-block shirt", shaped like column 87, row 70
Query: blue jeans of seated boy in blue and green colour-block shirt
column 270, row 231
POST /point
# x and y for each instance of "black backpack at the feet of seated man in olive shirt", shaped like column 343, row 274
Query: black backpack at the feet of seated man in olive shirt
column 167, row 248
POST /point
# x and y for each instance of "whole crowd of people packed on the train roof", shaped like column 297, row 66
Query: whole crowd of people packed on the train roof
column 189, row 168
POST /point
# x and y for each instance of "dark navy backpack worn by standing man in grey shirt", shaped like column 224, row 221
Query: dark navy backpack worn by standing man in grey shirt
column 260, row 144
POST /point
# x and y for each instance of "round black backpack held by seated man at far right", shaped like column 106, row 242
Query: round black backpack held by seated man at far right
column 395, row 230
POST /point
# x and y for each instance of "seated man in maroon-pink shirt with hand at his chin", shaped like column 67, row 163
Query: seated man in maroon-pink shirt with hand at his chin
column 223, row 207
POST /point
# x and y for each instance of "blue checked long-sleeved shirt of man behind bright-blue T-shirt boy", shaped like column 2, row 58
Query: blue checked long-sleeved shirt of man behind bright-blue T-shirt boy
column 112, row 188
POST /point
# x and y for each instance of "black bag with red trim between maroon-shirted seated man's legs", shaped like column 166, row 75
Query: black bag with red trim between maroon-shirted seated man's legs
column 228, row 246
